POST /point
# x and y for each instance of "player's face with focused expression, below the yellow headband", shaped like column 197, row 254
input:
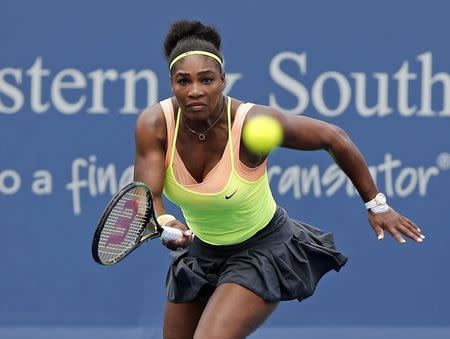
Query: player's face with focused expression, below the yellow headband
column 197, row 85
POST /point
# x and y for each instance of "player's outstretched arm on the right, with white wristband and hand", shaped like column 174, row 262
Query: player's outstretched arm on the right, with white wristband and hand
column 304, row 133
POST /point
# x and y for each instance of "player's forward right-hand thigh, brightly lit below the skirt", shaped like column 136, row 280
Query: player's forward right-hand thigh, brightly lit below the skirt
column 233, row 312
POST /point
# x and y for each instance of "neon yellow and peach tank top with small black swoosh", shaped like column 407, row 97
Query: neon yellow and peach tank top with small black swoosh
column 232, row 213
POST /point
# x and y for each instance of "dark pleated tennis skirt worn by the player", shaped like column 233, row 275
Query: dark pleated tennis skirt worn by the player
column 283, row 261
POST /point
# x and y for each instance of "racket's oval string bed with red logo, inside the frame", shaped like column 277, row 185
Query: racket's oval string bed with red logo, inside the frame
column 124, row 225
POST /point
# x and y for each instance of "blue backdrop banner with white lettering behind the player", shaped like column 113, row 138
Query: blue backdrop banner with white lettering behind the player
column 75, row 74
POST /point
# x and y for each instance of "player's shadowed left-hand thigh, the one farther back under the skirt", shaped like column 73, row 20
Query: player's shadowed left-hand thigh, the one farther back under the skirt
column 180, row 320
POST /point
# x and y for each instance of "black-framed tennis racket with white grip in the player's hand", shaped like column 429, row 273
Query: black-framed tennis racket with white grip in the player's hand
column 128, row 221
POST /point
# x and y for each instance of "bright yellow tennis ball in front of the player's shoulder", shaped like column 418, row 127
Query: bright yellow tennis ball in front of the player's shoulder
column 262, row 133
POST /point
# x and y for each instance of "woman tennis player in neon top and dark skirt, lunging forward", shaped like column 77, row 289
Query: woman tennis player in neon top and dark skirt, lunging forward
column 247, row 254
